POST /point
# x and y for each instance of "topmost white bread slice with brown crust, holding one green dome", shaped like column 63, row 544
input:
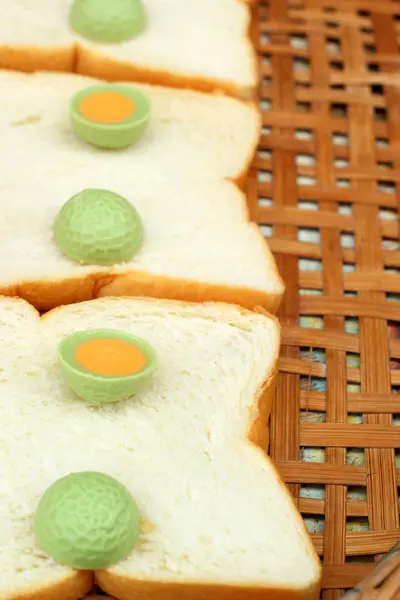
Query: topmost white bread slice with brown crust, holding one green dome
column 203, row 44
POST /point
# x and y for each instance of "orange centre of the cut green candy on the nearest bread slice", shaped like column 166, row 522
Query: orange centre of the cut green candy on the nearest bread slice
column 110, row 357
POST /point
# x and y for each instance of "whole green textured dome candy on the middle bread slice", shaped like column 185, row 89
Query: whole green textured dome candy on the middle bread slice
column 98, row 227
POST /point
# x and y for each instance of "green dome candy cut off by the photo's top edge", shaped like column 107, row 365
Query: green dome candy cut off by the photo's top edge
column 107, row 20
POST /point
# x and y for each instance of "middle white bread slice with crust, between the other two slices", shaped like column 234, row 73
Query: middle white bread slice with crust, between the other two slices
column 198, row 243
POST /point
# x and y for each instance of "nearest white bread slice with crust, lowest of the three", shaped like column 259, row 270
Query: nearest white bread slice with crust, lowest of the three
column 217, row 522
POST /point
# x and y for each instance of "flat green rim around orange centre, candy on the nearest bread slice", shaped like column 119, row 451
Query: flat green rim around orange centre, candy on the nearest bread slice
column 67, row 347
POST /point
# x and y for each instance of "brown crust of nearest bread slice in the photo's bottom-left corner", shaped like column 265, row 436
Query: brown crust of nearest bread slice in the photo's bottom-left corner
column 74, row 586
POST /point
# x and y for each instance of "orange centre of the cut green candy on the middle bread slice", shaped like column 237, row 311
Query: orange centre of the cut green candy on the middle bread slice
column 106, row 107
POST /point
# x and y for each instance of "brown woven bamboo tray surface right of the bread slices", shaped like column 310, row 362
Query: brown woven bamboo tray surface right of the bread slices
column 326, row 190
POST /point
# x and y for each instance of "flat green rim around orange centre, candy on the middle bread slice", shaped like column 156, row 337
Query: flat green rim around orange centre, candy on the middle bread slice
column 141, row 102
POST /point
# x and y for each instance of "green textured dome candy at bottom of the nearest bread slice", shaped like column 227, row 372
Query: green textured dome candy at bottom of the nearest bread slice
column 87, row 521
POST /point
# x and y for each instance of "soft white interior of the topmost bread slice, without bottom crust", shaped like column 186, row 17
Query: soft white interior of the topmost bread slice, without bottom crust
column 201, row 38
